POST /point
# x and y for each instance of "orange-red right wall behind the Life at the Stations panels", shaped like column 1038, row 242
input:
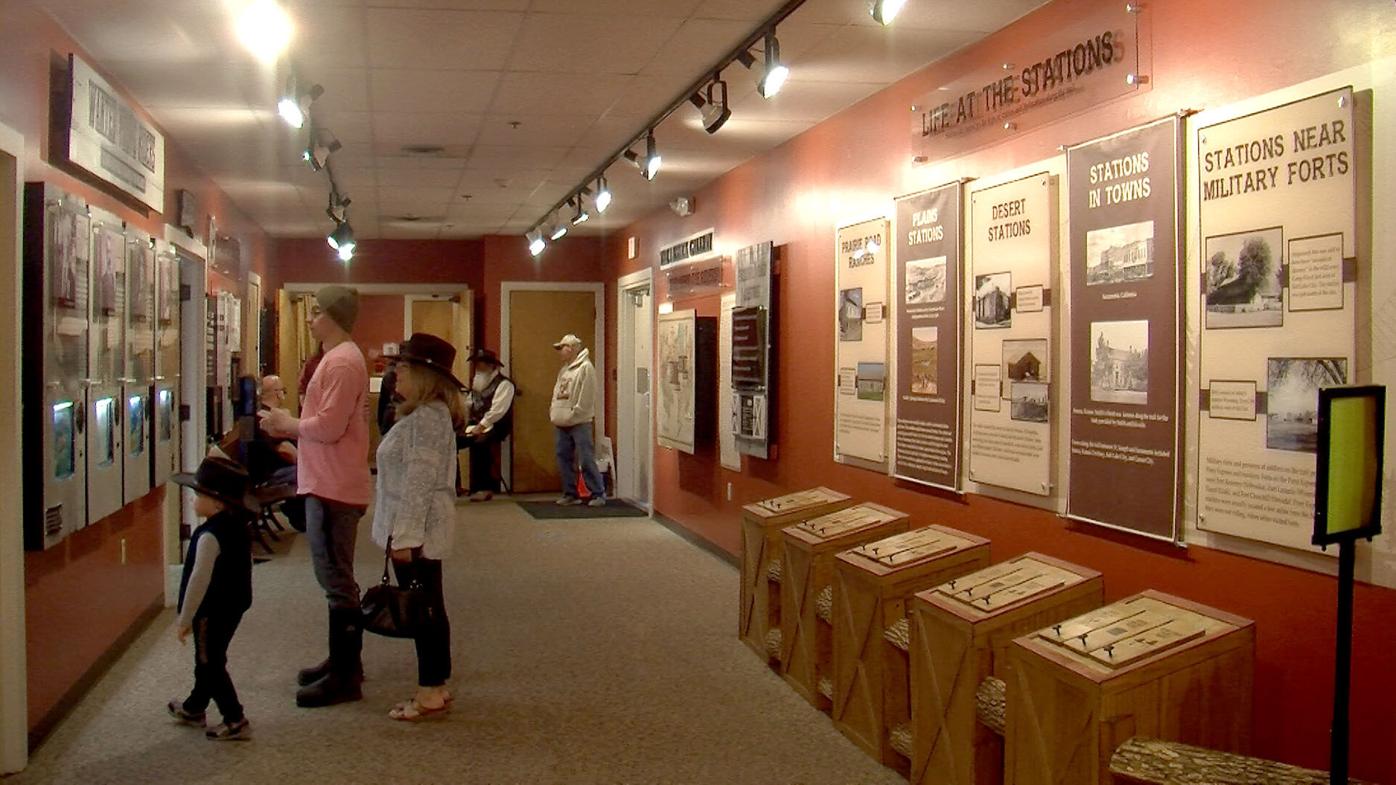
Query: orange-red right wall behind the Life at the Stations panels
column 1204, row 54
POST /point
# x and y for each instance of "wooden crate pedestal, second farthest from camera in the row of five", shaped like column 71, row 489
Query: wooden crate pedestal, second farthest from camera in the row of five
column 809, row 551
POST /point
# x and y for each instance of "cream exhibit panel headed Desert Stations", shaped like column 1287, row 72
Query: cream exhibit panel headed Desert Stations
column 1013, row 241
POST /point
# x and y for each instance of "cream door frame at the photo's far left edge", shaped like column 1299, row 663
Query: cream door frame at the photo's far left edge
column 15, row 721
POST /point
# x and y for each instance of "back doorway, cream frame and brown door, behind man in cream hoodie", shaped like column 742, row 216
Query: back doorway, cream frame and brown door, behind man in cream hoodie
column 534, row 318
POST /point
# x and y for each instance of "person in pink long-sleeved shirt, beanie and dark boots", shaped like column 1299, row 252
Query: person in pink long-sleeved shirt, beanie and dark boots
column 334, row 481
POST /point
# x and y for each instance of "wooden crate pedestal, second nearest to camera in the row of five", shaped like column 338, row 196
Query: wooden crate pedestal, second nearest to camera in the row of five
column 961, row 632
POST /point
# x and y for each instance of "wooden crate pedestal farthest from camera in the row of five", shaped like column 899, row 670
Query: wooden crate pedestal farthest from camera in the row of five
column 762, row 524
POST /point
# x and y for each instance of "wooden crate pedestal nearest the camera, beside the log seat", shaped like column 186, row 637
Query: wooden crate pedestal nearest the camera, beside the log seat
column 1151, row 666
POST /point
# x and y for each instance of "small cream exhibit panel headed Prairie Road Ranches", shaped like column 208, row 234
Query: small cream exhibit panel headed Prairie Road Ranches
column 861, row 346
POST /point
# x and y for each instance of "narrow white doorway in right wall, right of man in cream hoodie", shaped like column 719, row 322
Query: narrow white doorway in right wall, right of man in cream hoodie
column 634, row 346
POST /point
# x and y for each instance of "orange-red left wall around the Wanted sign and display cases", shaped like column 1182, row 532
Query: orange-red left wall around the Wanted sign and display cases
column 80, row 597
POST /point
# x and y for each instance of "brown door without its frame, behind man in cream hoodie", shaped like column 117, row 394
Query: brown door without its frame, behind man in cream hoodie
column 537, row 321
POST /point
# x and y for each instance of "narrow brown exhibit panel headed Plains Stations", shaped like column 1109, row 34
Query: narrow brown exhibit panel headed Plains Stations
column 929, row 360
